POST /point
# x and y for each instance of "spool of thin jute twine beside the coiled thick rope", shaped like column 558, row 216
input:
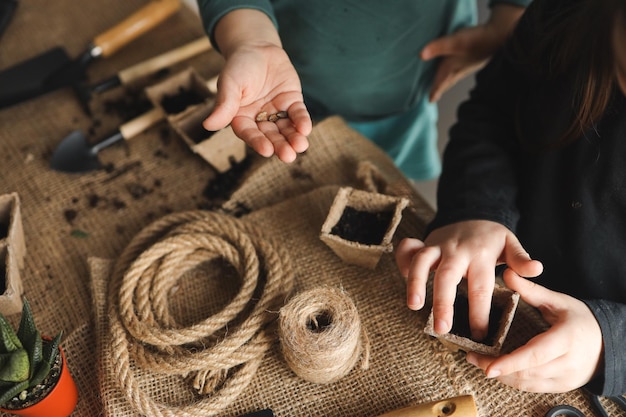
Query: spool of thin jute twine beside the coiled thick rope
column 321, row 335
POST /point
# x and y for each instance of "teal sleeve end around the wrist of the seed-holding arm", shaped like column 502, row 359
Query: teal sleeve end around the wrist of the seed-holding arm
column 211, row 11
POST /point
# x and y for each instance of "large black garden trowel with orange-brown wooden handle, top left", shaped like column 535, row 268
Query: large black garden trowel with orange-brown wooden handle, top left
column 54, row 69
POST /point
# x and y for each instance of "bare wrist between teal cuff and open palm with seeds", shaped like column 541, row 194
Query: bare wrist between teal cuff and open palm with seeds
column 245, row 27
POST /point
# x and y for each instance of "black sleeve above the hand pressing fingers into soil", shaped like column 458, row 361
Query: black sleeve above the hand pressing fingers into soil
column 478, row 180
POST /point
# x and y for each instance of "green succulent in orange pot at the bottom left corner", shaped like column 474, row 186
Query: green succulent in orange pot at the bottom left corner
column 35, row 380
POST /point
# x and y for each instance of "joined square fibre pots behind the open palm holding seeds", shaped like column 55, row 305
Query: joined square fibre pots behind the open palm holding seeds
column 187, row 100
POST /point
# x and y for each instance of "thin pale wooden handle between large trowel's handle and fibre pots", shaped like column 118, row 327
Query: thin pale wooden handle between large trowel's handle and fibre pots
column 164, row 60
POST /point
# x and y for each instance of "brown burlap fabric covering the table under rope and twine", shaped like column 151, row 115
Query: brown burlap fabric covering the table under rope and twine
column 76, row 227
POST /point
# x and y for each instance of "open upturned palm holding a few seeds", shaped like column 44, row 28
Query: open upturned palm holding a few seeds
column 256, row 79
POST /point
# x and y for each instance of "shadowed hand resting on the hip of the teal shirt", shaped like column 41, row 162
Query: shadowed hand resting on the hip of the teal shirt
column 468, row 49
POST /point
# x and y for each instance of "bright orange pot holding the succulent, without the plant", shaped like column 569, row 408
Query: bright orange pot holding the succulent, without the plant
column 60, row 402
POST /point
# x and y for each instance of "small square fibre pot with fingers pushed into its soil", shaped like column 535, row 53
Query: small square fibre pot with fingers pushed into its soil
column 503, row 305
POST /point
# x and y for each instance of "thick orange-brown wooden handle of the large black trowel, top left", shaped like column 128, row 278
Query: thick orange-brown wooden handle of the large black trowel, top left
column 140, row 22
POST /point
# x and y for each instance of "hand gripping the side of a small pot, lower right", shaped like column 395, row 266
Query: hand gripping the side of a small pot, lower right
column 563, row 358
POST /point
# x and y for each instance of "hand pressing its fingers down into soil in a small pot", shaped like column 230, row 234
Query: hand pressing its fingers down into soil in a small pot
column 469, row 249
